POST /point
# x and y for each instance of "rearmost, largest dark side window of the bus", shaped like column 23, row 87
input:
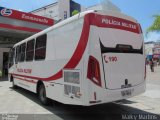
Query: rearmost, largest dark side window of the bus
column 40, row 48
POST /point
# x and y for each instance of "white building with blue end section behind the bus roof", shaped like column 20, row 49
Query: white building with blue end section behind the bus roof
column 60, row 10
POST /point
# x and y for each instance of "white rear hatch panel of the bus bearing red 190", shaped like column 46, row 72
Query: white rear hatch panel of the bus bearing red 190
column 119, row 66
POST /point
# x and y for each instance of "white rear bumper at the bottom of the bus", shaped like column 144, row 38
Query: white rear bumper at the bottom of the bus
column 107, row 96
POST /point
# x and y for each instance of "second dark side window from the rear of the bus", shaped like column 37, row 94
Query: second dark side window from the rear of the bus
column 30, row 50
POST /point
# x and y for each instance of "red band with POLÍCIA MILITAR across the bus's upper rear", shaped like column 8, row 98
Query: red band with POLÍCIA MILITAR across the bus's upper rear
column 115, row 23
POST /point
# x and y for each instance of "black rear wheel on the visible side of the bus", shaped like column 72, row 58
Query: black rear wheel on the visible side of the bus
column 42, row 95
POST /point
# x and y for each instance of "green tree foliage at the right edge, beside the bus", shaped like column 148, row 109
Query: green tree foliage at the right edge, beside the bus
column 155, row 27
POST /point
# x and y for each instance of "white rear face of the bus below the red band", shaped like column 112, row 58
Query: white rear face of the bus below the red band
column 116, row 68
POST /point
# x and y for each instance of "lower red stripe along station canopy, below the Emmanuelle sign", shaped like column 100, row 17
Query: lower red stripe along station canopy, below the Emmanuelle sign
column 19, row 28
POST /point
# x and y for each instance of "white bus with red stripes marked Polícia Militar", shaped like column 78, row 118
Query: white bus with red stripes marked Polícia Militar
column 92, row 58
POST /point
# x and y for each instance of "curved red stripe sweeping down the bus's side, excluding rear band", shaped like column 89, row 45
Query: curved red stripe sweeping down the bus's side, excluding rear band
column 75, row 59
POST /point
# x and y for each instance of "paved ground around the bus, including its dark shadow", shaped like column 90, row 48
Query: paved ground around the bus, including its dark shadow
column 23, row 102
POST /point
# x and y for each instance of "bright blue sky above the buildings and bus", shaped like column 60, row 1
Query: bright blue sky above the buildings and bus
column 142, row 10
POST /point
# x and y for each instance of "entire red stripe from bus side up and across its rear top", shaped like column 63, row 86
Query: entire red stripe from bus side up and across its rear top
column 89, row 19
